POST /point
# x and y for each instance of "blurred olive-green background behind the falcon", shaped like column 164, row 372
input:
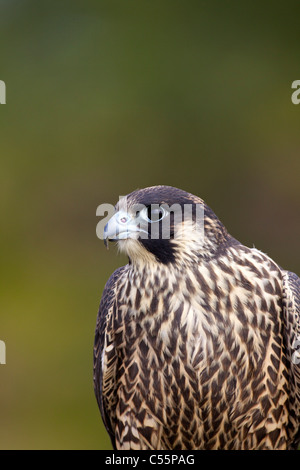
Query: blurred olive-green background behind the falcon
column 104, row 97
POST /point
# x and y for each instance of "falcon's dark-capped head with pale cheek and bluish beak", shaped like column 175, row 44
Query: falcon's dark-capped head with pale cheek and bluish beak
column 163, row 224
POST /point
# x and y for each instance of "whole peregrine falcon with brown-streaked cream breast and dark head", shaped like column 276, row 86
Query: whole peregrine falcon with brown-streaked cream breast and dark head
column 197, row 342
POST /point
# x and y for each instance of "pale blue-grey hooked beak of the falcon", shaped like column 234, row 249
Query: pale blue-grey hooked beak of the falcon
column 120, row 227
